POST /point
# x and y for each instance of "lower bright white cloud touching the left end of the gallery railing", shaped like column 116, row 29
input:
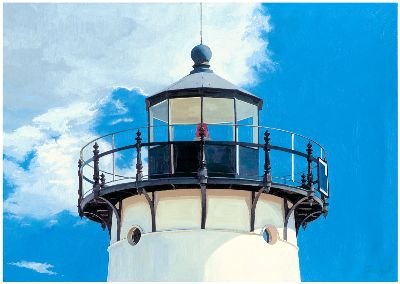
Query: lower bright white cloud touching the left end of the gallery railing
column 49, row 186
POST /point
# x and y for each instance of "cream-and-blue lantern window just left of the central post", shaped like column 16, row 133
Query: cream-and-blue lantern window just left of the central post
column 185, row 115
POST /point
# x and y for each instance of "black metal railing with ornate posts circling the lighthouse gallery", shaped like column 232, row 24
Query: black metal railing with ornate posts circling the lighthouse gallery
column 284, row 158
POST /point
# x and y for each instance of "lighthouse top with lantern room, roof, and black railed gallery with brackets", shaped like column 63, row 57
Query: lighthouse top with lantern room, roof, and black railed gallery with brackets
column 203, row 133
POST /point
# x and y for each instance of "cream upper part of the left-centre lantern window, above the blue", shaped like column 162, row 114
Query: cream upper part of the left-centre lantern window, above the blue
column 185, row 110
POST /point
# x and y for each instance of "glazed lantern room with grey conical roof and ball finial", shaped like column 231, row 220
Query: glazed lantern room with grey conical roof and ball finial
column 202, row 99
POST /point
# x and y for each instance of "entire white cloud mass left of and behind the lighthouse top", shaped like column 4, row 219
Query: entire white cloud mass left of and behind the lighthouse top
column 62, row 61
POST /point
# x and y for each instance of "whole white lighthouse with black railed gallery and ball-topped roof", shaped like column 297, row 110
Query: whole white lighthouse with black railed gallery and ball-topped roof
column 209, row 194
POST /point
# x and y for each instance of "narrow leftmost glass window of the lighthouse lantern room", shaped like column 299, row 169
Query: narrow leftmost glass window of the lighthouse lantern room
column 159, row 122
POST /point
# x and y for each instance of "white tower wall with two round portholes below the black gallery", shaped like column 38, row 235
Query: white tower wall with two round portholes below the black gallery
column 224, row 251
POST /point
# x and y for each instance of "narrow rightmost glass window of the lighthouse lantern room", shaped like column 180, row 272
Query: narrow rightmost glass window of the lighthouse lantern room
column 247, row 121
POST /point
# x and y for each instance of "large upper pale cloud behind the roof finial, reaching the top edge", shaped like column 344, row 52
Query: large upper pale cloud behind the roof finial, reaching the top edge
column 56, row 54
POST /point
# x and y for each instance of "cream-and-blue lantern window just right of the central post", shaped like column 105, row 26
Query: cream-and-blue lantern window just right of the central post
column 219, row 118
